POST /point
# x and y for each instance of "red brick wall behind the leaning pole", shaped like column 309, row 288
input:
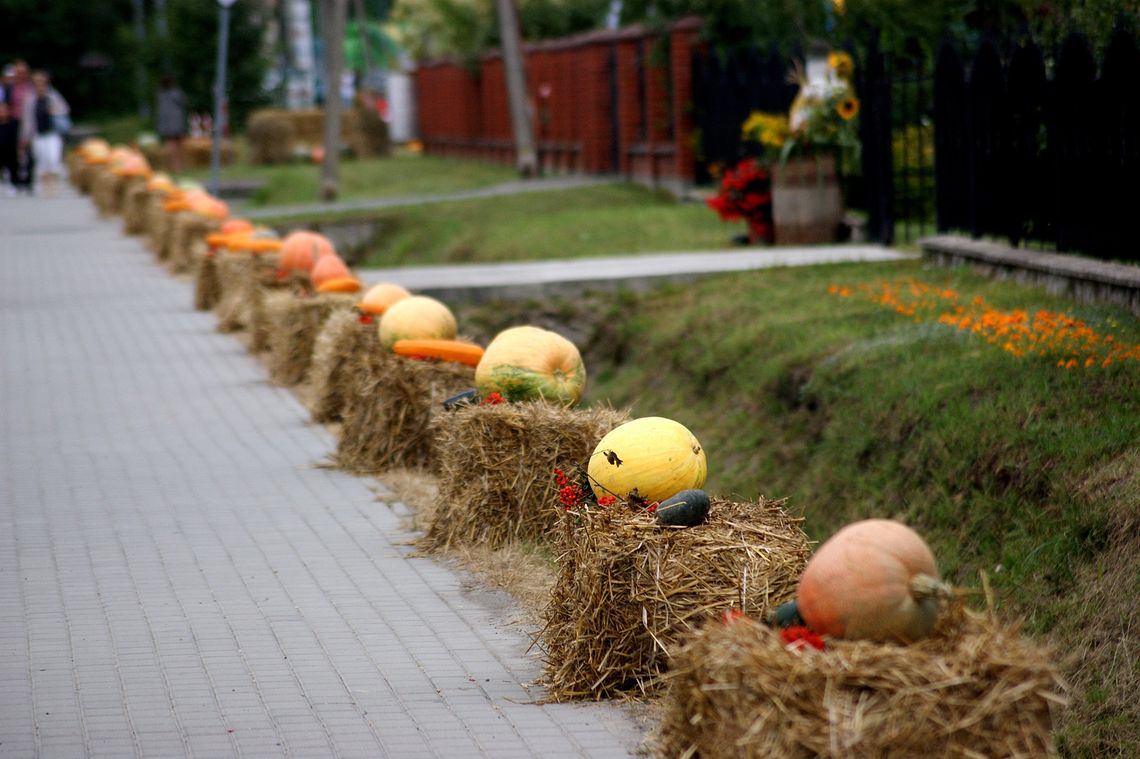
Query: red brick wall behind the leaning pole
column 572, row 86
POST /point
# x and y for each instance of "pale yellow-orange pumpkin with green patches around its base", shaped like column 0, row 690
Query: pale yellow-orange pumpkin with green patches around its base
column 532, row 364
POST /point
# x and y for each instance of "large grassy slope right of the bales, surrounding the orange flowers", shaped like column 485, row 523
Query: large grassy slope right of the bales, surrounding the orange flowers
column 1007, row 466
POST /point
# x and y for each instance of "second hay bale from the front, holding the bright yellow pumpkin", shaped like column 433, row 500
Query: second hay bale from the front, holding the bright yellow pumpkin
column 630, row 591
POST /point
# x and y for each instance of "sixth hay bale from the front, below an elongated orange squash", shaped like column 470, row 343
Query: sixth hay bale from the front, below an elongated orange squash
column 296, row 321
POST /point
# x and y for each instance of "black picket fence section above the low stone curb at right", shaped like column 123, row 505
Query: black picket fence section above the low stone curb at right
column 1041, row 150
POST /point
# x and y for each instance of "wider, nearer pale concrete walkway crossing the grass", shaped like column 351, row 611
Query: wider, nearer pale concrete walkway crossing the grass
column 479, row 282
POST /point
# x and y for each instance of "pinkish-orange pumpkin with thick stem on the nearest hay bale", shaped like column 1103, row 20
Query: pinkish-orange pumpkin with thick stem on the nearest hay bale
column 874, row 581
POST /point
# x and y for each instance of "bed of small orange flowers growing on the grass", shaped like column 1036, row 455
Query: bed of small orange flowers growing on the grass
column 1052, row 334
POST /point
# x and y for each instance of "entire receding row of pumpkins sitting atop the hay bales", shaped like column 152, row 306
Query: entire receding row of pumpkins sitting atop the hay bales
column 875, row 580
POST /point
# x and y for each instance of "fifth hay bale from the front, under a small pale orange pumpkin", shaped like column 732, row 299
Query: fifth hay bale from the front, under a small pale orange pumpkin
column 344, row 342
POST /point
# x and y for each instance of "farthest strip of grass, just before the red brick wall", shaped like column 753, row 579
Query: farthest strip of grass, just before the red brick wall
column 397, row 176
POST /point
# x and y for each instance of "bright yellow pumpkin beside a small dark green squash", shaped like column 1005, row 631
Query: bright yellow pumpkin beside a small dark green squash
column 652, row 459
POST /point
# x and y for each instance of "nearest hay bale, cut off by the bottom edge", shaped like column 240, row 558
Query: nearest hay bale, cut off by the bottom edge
column 975, row 689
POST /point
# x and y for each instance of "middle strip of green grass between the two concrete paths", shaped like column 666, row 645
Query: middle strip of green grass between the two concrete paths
column 601, row 221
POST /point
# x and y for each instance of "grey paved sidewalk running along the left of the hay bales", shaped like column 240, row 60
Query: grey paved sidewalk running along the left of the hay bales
column 180, row 578
